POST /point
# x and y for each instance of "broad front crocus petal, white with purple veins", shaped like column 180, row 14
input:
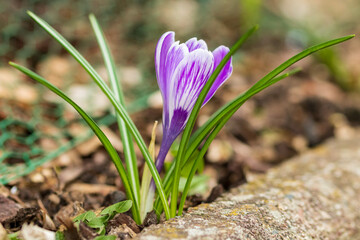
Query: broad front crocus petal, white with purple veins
column 187, row 81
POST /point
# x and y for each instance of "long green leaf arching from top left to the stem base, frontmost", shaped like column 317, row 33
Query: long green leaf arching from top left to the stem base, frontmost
column 119, row 107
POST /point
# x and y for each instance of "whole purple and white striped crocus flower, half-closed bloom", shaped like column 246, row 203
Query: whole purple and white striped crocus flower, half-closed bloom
column 182, row 70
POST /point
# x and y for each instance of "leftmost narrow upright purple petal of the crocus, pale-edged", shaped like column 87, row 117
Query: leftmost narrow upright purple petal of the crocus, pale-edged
column 162, row 48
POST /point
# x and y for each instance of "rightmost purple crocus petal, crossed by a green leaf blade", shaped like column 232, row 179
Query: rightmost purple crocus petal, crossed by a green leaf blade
column 219, row 53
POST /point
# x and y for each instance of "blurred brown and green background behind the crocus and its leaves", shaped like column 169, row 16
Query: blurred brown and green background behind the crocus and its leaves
column 298, row 113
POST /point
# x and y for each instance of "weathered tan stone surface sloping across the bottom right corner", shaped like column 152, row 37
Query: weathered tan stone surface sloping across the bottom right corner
column 313, row 196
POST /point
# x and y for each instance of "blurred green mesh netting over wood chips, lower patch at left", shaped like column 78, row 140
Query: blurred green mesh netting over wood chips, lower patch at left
column 30, row 137
